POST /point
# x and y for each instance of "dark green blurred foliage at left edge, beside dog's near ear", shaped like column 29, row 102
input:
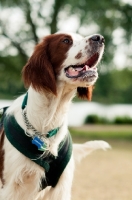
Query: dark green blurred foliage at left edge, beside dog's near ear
column 11, row 83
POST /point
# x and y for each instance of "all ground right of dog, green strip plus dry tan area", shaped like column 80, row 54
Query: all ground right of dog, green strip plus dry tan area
column 104, row 175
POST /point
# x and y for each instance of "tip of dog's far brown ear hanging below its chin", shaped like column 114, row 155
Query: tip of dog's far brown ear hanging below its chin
column 85, row 92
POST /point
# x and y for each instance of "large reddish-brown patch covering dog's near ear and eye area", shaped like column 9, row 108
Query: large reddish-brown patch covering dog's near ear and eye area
column 44, row 65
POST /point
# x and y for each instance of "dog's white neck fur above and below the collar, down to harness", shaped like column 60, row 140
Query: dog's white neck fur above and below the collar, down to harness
column 46, row 112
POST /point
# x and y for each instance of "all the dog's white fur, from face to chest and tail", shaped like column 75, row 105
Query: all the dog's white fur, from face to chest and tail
column 46, row 112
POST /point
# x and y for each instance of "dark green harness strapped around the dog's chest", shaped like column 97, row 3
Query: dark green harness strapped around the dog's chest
column 53, row 166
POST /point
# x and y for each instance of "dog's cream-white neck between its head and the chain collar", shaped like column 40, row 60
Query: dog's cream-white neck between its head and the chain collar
column 47, row 111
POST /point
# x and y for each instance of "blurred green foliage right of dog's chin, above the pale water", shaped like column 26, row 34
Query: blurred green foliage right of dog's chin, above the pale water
column 114, row 87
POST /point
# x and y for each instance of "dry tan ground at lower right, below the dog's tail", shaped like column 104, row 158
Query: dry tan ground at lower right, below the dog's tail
column 105, row 175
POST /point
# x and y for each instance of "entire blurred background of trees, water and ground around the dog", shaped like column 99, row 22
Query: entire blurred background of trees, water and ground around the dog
column 109, row 116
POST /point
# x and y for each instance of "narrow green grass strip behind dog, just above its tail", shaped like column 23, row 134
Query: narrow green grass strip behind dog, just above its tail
column 109, row 132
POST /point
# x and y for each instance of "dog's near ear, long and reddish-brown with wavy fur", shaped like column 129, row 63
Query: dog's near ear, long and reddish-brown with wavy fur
column 38, row 71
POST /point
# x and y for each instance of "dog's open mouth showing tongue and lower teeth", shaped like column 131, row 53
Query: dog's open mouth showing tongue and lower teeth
column 89, row 68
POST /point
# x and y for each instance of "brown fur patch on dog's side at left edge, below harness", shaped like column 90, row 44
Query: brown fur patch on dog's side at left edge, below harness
column 2, row 135
